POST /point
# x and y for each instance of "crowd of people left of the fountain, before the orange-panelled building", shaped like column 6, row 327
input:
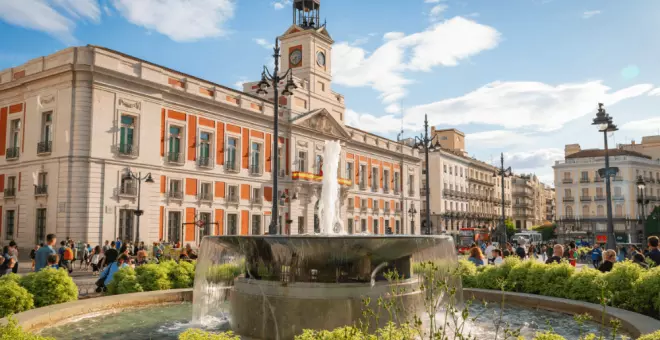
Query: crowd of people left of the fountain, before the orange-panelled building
column 104, row 261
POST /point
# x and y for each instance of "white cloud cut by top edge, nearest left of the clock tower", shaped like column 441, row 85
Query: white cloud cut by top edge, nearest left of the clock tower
column 181, row 20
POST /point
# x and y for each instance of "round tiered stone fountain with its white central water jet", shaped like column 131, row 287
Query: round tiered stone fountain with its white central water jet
column 274, row 286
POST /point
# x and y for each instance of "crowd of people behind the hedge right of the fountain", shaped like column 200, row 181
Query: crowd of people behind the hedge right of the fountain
column 602, row 260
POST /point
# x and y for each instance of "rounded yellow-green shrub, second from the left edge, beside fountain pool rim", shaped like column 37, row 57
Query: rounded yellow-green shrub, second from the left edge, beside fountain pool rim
column 50, row 286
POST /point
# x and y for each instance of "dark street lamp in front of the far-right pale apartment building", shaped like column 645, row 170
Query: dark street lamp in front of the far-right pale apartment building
column 605, row 125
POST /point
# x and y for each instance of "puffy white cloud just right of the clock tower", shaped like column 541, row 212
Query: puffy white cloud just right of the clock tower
column 442, row 44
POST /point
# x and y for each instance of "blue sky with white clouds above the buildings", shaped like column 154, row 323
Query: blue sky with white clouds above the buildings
column 522, row 77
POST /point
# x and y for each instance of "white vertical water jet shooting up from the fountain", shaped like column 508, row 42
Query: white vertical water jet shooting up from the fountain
column 329, row 206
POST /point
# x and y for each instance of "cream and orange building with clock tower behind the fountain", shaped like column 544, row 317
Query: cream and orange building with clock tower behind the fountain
column 72, row 124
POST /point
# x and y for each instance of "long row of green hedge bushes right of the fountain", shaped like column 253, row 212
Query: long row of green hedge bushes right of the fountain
column 627, row 286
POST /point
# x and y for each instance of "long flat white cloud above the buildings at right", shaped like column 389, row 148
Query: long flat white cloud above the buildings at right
column 514, row 105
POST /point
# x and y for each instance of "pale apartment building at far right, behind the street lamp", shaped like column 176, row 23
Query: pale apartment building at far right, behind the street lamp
column 581, row 194
